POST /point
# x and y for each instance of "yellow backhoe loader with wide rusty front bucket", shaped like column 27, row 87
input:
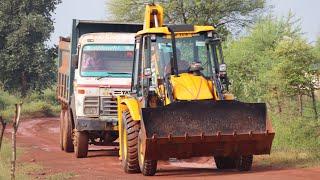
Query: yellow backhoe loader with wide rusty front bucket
column 179, row 106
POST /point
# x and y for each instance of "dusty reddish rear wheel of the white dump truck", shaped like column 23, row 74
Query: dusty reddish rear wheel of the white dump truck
column 67, row 132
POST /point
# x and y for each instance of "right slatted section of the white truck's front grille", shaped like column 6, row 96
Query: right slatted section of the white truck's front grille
column 108, row 106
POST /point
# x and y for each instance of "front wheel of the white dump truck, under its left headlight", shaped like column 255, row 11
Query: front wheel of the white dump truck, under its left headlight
column 81, row 144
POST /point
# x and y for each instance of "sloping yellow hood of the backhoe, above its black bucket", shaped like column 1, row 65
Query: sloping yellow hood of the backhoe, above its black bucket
column 190, row 87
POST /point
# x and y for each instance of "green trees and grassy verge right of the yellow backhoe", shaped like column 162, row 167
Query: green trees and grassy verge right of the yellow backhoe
column 273, row 63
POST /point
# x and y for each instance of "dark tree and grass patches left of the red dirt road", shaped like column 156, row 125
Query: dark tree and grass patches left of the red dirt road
column 27, row 69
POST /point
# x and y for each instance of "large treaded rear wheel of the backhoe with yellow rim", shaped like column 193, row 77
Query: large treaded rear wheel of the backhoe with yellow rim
column 129, row 144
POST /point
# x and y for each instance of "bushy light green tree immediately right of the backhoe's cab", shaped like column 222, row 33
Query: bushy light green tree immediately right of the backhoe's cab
column 251, row 61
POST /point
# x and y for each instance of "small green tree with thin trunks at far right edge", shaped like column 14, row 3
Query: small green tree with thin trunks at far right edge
column 295, row 67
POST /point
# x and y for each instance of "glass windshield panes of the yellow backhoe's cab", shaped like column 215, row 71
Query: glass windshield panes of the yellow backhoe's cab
column 189, row 50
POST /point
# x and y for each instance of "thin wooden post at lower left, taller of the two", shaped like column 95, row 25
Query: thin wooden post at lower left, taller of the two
column 15, row 125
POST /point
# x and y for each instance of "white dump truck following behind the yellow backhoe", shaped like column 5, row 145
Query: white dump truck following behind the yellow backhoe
column 95, row 66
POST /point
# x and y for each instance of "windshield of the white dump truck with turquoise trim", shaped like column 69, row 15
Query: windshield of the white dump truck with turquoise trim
column 100, row 60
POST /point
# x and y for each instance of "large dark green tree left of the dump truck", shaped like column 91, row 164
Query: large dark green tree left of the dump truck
column 26, row 63
